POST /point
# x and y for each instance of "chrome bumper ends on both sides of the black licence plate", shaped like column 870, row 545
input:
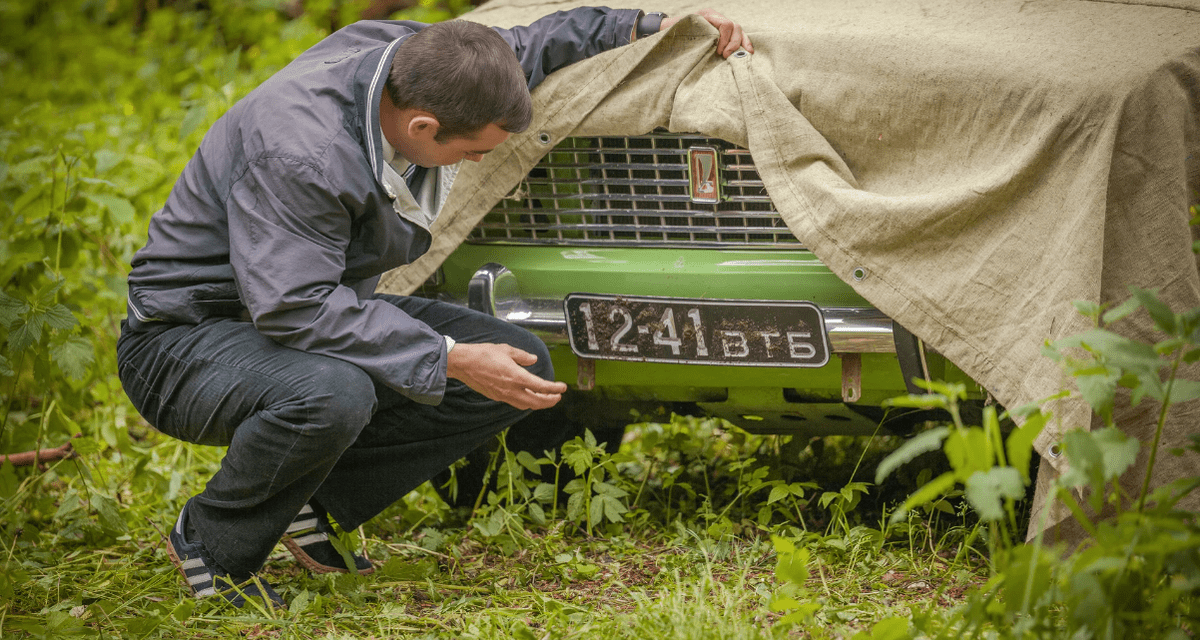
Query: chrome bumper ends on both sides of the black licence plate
column 494, row 290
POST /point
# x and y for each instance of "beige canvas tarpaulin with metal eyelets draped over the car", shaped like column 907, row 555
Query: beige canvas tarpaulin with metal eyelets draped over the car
column 987, row 164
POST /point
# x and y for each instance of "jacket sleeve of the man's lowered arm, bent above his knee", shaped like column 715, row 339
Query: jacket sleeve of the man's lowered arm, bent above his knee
column 289, row 235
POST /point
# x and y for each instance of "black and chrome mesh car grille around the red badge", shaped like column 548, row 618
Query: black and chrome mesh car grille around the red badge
column 634, row 192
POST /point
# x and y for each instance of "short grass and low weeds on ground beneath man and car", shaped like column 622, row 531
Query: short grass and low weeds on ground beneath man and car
column 82, row 575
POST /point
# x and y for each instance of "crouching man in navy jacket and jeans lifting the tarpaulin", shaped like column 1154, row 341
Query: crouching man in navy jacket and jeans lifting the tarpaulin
column 253, row 316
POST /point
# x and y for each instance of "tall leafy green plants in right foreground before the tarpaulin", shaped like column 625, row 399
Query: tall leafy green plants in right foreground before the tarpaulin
column 1138, row 575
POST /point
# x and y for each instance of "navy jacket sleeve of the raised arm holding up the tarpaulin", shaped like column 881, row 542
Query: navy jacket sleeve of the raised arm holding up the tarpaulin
column 568, row 37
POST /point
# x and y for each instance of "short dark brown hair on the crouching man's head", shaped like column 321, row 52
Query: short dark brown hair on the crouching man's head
column 466, row 75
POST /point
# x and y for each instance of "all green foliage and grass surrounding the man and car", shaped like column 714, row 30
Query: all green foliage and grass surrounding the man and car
column 693, row 530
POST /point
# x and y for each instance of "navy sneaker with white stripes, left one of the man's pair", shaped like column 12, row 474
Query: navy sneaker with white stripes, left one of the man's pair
column 206, row 578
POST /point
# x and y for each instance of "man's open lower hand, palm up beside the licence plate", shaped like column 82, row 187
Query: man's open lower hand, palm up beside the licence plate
column 496, row 372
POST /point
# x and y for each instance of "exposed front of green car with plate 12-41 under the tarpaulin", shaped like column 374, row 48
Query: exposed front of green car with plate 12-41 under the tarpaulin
column 661, row 277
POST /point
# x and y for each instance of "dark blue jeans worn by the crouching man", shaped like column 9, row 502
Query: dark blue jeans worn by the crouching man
column 302, row 427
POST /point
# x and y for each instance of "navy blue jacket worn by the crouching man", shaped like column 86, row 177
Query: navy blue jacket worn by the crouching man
column 281, row 217
